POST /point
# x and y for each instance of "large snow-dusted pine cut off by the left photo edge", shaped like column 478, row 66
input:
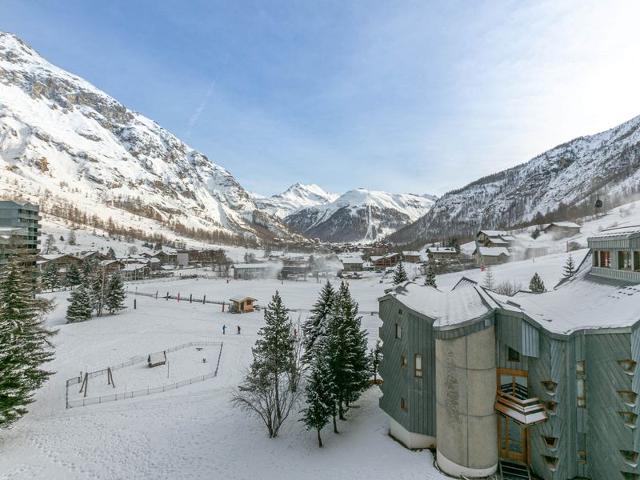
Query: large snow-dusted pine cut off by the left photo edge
column 24, row 343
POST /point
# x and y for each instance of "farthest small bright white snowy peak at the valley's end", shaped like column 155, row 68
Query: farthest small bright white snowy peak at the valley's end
column 296, row 197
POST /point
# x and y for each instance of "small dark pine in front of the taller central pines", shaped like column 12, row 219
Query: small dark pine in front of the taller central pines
column 319, row 393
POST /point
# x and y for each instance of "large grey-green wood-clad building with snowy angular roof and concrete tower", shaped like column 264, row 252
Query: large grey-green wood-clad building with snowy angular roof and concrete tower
column 540, row 385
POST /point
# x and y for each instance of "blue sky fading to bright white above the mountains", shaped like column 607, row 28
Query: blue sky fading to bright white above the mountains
column 395, row 95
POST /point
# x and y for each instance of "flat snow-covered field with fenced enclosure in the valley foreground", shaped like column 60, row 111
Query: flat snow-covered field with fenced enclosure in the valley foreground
column 193, row 432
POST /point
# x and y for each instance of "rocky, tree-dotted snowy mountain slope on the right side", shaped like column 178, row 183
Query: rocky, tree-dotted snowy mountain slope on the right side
column 569, row 175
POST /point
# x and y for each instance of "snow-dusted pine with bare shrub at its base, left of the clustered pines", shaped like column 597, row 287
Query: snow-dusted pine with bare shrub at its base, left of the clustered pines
column 270, row 388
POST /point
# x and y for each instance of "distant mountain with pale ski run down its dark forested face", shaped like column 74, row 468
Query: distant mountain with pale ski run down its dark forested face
column 360, row 215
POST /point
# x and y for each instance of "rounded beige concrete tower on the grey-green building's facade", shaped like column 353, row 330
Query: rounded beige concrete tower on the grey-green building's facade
column 465, row 396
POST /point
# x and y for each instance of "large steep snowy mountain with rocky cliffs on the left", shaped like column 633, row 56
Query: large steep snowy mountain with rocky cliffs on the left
column 65, row 142
